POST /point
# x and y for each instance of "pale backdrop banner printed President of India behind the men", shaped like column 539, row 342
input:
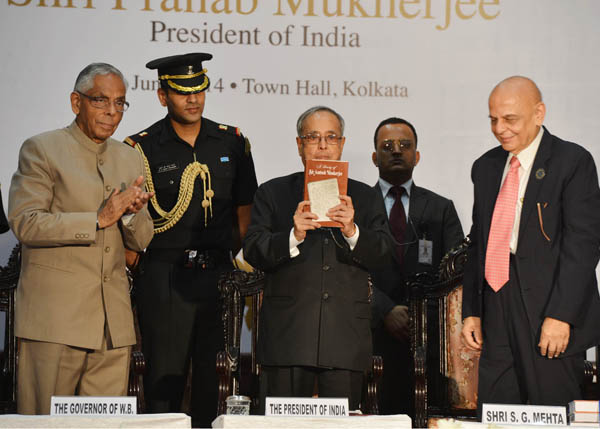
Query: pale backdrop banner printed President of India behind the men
column 432, row 62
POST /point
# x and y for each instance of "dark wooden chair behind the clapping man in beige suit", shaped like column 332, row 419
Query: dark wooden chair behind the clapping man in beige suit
column 9, row 278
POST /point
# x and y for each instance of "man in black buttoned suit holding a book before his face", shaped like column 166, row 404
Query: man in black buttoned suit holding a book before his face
column 315, row 314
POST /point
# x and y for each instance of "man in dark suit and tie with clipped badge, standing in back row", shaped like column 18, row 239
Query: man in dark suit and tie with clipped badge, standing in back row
column 425, row 226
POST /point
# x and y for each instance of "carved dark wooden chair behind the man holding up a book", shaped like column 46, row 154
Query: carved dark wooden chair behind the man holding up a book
column 235, row 287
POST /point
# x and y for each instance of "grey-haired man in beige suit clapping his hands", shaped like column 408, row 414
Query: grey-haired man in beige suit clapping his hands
column 75, row 204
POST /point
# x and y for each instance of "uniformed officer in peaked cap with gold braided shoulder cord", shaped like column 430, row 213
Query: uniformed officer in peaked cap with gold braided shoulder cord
column 203, row 176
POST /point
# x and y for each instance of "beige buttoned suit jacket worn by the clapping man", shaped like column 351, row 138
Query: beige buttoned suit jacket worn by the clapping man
column 73, row 280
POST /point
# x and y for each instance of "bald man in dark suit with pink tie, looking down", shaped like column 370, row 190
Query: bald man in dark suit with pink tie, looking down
column 530, row 299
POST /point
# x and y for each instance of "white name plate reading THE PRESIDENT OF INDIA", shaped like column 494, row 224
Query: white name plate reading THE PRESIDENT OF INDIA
column 307, row 407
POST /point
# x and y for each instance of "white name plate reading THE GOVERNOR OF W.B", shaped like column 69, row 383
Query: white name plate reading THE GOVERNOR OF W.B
column 93, row 406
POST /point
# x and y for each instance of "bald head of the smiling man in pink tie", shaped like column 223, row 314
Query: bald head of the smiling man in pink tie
column 516, row 113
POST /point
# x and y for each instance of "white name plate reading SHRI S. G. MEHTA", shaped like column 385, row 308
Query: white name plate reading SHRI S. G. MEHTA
column 508, row 414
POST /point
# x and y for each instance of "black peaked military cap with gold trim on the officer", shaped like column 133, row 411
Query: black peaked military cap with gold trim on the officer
column 182, row 73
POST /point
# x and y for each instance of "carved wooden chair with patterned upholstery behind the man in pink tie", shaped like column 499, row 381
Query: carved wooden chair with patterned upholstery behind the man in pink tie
column 446, row 380
